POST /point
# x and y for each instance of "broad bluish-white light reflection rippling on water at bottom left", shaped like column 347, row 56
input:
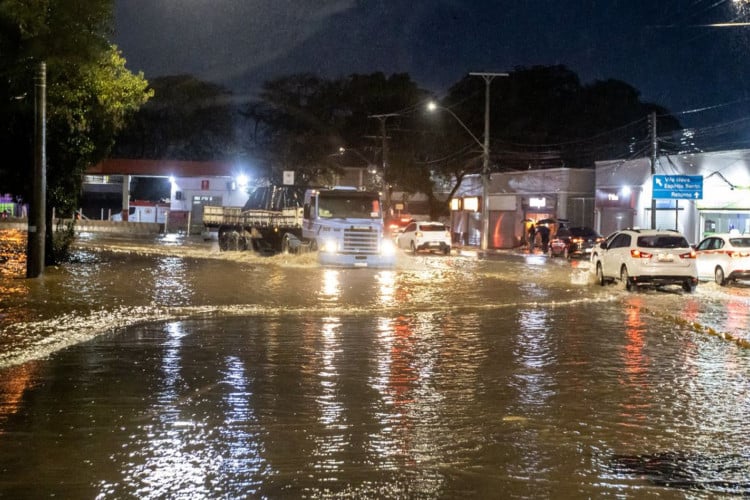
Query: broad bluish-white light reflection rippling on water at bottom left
column 176, row 453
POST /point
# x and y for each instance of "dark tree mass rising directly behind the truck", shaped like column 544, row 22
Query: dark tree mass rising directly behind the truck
column 303, row 120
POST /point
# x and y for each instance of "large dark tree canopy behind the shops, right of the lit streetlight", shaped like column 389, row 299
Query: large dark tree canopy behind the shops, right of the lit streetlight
column 543, row 117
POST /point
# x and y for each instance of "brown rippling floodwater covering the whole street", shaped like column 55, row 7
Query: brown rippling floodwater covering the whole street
column 166, row 369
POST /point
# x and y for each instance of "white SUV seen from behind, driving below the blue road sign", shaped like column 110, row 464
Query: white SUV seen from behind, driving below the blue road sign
column 650, row 257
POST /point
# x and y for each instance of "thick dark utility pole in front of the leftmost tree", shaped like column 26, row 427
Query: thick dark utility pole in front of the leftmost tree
column 37, row 227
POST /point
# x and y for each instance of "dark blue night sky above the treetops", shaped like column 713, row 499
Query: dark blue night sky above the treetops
column 678, row 53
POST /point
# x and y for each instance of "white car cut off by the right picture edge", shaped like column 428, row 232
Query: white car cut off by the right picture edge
column 724, row 258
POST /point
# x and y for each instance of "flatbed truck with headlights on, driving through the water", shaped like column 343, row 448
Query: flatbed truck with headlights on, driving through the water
column 344, row 225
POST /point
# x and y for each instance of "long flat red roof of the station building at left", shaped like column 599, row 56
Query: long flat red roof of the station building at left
column 163, row 168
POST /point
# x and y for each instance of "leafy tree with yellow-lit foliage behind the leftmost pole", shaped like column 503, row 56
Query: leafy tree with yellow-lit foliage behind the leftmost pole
column 89, row 93
